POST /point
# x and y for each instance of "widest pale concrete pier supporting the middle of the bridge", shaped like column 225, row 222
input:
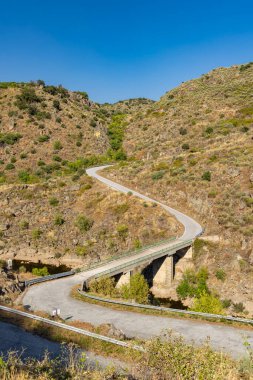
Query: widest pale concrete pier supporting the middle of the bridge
column 163, row 273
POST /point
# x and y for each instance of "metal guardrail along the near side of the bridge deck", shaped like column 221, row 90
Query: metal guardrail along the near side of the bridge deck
column 134, row 262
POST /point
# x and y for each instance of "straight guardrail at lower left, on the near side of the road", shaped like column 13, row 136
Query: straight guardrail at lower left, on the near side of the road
column 71, row 328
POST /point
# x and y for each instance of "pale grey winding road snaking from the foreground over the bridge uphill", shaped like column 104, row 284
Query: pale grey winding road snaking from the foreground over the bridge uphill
column 56, row 294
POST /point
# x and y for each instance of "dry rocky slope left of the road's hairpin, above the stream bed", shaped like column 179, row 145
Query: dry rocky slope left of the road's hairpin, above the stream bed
column 76, row 223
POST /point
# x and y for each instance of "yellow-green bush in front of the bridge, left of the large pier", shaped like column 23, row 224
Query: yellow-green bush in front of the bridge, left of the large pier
column 137, row 289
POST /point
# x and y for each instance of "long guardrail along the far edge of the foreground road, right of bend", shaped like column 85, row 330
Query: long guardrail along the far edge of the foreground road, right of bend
column 168, row 309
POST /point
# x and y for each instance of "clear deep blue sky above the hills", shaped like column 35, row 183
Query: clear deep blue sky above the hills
column 117, row 49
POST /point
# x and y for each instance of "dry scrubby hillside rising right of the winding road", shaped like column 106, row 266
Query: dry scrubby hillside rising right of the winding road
column 194, row 150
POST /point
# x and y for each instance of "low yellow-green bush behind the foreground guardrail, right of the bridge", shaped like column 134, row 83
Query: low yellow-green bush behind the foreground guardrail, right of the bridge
column 208, row 303
